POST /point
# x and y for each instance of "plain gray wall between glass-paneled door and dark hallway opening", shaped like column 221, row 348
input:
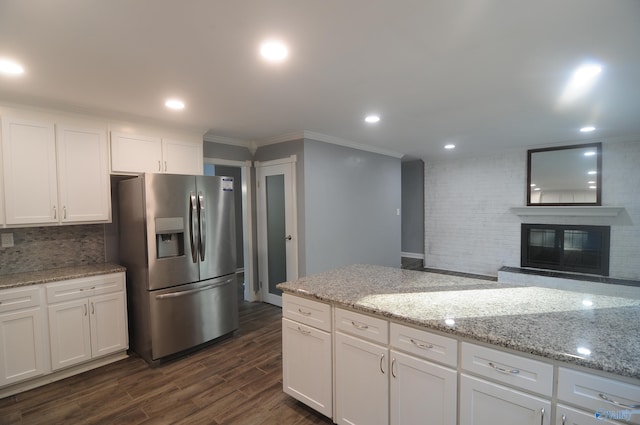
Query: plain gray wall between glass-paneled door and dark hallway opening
column 351, row 204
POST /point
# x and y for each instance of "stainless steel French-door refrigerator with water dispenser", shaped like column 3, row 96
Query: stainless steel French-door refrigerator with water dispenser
column 177, row 241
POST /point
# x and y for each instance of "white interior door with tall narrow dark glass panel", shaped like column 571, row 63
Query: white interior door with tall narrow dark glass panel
column 277, row 233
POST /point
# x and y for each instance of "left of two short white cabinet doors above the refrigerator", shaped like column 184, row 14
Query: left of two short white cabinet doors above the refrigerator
column 135, row 154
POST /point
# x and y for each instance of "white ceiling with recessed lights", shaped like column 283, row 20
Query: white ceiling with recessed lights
column 483, row 74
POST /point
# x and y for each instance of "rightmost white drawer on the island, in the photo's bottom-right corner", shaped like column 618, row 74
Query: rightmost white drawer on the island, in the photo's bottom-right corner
column 595, row 392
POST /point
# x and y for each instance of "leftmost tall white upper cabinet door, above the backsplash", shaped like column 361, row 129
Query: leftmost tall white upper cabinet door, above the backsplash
column 29, row 162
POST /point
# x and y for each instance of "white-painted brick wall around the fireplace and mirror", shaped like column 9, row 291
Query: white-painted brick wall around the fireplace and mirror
column 469, row 228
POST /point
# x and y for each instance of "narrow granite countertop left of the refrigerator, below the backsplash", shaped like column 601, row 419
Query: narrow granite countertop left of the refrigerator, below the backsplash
column 53, row 275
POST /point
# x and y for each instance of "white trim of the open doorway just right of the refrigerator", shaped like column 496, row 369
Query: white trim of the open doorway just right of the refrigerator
column 250, row 294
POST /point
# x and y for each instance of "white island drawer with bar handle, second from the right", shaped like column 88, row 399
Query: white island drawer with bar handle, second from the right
column 528, row 374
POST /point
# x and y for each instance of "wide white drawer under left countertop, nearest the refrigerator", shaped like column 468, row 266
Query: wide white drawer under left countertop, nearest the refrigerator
column 84, row 287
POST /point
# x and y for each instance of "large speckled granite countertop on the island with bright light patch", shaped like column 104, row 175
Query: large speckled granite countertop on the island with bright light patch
column 596, row 331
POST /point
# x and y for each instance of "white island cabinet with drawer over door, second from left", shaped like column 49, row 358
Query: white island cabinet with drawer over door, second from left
column 362, row 369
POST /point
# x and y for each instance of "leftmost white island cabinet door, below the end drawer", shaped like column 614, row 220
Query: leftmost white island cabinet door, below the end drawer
column 306, row 365
